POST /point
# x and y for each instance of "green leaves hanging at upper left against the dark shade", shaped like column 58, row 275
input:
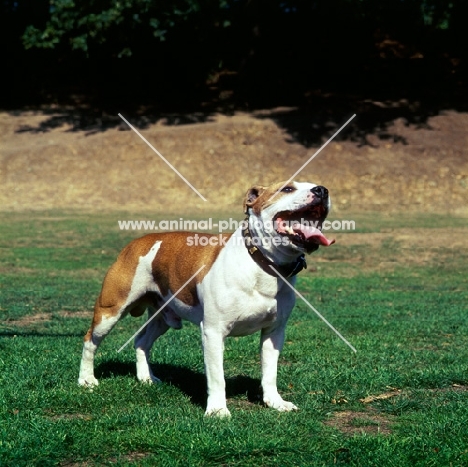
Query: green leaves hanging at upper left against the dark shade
column 120, row 27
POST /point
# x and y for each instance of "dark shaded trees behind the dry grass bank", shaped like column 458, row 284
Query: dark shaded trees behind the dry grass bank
column 254, row 49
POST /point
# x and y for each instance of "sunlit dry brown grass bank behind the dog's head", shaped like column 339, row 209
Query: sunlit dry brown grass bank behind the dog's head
column 116, row 170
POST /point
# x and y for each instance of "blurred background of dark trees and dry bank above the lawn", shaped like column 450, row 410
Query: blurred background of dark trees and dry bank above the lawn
column 233, row 92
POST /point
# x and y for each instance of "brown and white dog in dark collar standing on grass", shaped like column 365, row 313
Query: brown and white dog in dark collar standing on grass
column 236, row 293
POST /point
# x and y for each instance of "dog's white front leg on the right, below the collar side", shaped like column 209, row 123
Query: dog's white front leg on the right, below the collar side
column 271, row 346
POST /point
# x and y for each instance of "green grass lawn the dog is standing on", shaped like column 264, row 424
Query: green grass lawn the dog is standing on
column 408, row 322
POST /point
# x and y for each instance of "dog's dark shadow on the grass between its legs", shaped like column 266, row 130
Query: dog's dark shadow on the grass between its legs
column 191, row 383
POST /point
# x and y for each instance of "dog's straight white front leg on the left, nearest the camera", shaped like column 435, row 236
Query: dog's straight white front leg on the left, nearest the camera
column 213, row 349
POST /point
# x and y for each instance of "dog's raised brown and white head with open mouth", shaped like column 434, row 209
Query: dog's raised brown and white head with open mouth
column 293, row 213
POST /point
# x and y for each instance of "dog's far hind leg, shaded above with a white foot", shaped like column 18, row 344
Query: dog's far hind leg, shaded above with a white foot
column 143, row 342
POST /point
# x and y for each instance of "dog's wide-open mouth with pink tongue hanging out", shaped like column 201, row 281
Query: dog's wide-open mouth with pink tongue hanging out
column 303, row 226
